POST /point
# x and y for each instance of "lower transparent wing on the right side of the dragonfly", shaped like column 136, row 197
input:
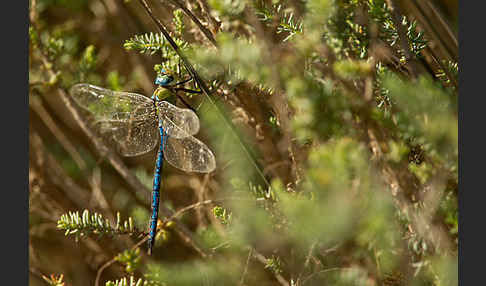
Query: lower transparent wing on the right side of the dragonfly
column 189, row 154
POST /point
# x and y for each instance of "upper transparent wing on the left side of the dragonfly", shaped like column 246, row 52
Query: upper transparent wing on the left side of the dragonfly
column 108, row 105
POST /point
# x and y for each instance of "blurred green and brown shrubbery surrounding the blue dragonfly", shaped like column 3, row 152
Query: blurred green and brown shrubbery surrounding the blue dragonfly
column 333, row 124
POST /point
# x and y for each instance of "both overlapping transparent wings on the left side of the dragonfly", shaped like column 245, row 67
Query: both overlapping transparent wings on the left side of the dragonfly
column 125, row 120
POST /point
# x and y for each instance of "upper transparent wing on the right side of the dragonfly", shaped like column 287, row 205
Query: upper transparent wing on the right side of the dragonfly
column 177, row 122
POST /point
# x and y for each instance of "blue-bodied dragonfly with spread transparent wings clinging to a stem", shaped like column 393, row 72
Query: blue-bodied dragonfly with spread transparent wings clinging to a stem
column 133, row 123
